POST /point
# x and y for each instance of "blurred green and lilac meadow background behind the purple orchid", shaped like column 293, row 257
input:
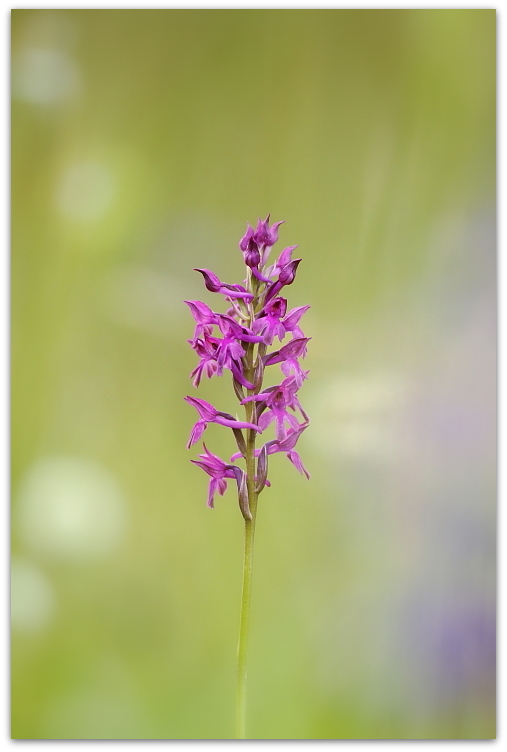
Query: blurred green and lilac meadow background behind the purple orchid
column 142, row 143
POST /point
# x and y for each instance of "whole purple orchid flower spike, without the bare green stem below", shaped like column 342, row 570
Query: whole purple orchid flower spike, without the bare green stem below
column 238, row 340
